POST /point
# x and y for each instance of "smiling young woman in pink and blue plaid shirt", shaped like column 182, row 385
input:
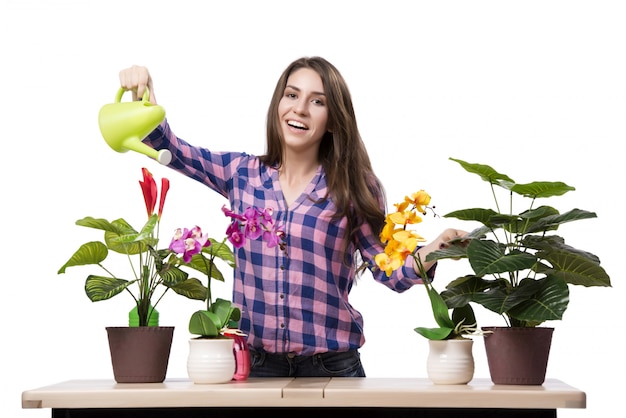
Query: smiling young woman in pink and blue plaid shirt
column 317, row 179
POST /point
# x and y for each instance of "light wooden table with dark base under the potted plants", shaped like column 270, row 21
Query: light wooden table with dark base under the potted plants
column 367, row 397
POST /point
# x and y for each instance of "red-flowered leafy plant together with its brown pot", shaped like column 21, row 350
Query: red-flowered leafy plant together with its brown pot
column 152, row 270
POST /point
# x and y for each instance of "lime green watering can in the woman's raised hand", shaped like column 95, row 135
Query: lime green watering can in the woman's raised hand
column 125, row 124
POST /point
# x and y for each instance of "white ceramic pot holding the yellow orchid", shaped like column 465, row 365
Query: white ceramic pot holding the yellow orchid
column 450, row 362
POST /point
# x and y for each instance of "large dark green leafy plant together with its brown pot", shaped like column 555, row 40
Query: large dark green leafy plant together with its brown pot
column 521, row 270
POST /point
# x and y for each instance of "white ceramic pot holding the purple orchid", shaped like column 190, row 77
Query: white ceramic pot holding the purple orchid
column 211, row 360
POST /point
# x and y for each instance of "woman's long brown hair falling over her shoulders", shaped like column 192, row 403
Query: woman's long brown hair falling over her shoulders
column 354, row 187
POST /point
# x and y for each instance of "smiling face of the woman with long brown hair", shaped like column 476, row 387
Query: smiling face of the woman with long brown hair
column 302, row 111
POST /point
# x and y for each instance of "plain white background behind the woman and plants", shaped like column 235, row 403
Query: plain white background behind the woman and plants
column 533, row 88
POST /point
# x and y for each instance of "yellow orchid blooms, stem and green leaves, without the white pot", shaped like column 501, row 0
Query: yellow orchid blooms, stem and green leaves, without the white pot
column 401, row 242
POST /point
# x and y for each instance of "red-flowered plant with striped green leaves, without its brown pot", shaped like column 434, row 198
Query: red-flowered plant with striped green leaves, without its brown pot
column 153, row 271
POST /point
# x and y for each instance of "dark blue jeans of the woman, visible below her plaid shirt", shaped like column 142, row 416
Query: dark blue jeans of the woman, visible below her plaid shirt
column 344, row 364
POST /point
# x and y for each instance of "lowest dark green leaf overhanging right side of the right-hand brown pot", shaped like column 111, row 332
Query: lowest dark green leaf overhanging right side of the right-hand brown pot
column 549, row 300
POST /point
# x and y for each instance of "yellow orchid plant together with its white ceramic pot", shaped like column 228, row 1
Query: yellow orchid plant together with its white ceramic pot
column 450, row 359
